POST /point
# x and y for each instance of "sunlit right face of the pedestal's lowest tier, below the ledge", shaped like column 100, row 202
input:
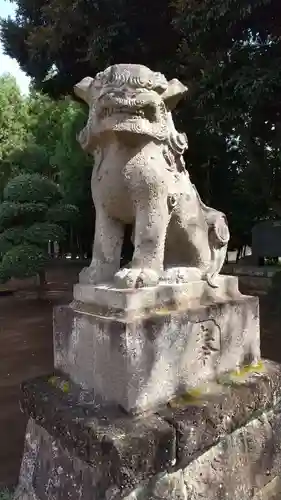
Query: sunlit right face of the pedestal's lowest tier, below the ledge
column 241, row 466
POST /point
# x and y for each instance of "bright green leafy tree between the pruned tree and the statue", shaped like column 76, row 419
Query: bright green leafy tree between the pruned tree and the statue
column 53, row 150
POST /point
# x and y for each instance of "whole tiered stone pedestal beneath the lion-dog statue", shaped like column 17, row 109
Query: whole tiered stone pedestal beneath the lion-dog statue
column 147, row 402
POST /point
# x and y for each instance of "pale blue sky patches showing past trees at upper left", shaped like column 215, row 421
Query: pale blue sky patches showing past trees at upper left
column 8, row 65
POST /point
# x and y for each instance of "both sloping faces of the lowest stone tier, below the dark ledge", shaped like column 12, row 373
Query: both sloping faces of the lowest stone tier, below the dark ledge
column 243, row 466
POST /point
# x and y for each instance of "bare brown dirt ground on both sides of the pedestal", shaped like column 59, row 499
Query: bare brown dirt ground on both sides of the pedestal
column 27, row 351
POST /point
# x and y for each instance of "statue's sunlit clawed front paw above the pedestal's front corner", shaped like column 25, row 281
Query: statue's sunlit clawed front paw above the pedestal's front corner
column 136, row 278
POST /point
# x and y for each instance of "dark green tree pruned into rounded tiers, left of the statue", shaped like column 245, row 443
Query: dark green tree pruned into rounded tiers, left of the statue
column 32, row 214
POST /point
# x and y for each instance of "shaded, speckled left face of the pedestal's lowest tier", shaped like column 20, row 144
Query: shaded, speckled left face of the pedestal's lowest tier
column 49, row 471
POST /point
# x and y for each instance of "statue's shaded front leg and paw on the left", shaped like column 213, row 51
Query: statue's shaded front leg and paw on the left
column 109, row 234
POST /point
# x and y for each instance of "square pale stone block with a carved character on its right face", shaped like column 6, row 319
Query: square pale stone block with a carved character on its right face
column 144, row 360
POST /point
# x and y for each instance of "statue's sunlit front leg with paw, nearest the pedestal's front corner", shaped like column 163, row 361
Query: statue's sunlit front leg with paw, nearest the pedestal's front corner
column 152, row 219
